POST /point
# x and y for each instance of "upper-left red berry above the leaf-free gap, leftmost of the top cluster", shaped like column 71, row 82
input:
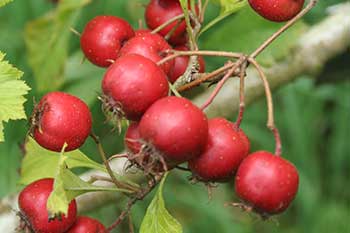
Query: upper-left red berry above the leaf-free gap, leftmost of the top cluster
column 103, row 37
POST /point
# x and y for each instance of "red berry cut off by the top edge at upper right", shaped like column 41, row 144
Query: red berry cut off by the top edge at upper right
column 277, row 10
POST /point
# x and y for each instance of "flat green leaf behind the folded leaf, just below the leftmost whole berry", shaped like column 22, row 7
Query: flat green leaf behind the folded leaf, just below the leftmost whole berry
column 40, row 163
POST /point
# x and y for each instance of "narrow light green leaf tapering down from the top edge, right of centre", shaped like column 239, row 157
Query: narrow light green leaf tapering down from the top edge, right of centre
column 228, row 7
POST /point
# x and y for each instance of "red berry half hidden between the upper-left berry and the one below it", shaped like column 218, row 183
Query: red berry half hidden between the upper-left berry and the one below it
column 152, row 46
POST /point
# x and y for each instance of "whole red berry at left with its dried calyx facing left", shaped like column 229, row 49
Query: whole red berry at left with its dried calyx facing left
column 61, row 118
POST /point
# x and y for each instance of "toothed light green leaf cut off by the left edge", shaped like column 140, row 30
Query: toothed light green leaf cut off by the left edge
column 12, row 91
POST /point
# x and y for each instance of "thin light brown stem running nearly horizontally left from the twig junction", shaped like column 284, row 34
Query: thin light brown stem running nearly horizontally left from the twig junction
column 178, row 53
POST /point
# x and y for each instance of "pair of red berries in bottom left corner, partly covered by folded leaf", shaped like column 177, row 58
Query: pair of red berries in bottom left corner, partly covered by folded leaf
column 34, row 215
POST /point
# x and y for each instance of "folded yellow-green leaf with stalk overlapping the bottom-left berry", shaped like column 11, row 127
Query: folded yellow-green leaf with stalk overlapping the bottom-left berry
column 68, row 186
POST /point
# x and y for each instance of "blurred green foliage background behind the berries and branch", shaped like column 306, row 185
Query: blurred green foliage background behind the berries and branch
column 313, row 114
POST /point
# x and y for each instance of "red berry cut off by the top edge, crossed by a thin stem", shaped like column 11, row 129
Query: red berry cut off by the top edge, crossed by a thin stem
column 159, row 12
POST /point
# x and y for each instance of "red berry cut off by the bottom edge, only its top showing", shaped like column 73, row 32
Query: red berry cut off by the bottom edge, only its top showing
column 87, row 225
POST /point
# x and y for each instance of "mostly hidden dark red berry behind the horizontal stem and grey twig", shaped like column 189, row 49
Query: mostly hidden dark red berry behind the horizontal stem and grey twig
column 181, row 64
